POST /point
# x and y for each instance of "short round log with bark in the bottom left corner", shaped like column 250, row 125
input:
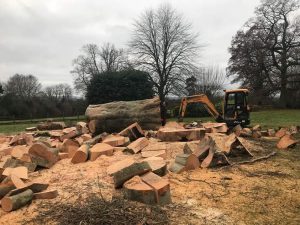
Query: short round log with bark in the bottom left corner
column 16, row 201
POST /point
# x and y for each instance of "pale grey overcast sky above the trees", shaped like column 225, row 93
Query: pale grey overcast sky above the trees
column 41, row 37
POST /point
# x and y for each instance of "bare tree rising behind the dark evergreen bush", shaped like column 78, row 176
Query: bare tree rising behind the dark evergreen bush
column 94, row 61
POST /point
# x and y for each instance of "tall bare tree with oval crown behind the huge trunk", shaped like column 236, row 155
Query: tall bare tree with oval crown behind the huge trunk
column 164, row 46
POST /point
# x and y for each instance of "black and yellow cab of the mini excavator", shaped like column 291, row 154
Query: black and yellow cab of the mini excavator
column 236, row 109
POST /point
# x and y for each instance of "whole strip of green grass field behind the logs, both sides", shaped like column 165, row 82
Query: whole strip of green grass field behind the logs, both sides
column 270, row 118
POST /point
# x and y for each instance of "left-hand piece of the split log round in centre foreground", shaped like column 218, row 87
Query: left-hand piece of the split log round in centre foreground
column 137, row 190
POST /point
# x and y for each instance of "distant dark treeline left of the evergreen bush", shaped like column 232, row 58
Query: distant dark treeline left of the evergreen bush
column 23, row 97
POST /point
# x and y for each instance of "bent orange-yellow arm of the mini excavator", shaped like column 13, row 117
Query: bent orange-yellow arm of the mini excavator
column 209, row 106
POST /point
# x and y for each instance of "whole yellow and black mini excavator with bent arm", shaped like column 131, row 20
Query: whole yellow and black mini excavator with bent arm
column 235, row 107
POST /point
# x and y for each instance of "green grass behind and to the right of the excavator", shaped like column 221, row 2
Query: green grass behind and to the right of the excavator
column 269, row 118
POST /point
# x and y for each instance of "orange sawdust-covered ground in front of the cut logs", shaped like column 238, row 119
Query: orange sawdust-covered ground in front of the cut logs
column 264, row 192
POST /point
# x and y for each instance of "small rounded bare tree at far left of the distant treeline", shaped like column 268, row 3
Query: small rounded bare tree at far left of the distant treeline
column 23, row 86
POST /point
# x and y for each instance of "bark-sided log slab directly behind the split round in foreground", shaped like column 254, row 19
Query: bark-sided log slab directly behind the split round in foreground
column 127, row 171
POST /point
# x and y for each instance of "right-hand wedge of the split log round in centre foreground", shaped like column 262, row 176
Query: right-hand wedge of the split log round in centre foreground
column 160, row 186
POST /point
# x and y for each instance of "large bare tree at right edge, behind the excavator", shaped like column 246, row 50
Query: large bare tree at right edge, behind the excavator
column 266, row 50
